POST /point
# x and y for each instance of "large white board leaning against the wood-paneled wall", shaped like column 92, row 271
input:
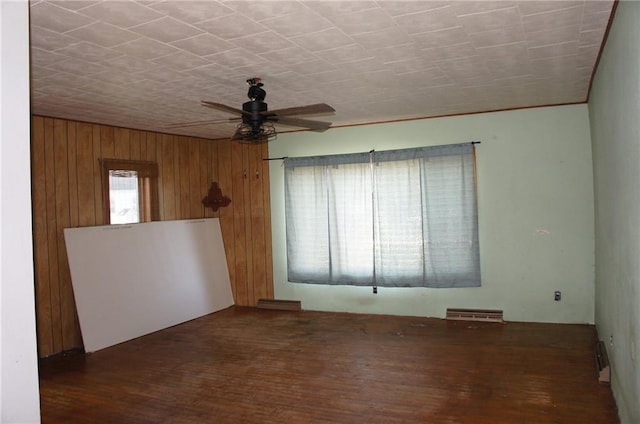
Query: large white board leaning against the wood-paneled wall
column 132, row 280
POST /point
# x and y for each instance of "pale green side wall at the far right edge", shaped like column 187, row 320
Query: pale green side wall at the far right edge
column 614, row 108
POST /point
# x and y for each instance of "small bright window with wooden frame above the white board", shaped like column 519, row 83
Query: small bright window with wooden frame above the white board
column 130, row 191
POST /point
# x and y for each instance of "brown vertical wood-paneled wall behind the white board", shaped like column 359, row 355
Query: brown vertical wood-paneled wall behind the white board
column 67, row 192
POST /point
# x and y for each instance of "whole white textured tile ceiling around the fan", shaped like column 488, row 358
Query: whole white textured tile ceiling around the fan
column 145, row 64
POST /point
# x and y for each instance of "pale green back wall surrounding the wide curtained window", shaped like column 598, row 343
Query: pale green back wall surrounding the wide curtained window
column 535, row 214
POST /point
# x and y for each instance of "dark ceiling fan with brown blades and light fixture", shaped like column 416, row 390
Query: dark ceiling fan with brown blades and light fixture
column 256, row 120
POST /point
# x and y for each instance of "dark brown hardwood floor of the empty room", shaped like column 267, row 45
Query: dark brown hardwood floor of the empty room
column 246, row 365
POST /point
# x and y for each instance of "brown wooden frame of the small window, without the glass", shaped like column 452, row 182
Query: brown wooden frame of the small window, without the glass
column 146, row 170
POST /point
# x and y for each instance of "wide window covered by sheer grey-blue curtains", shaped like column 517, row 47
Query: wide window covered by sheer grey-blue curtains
column 402, row 218
